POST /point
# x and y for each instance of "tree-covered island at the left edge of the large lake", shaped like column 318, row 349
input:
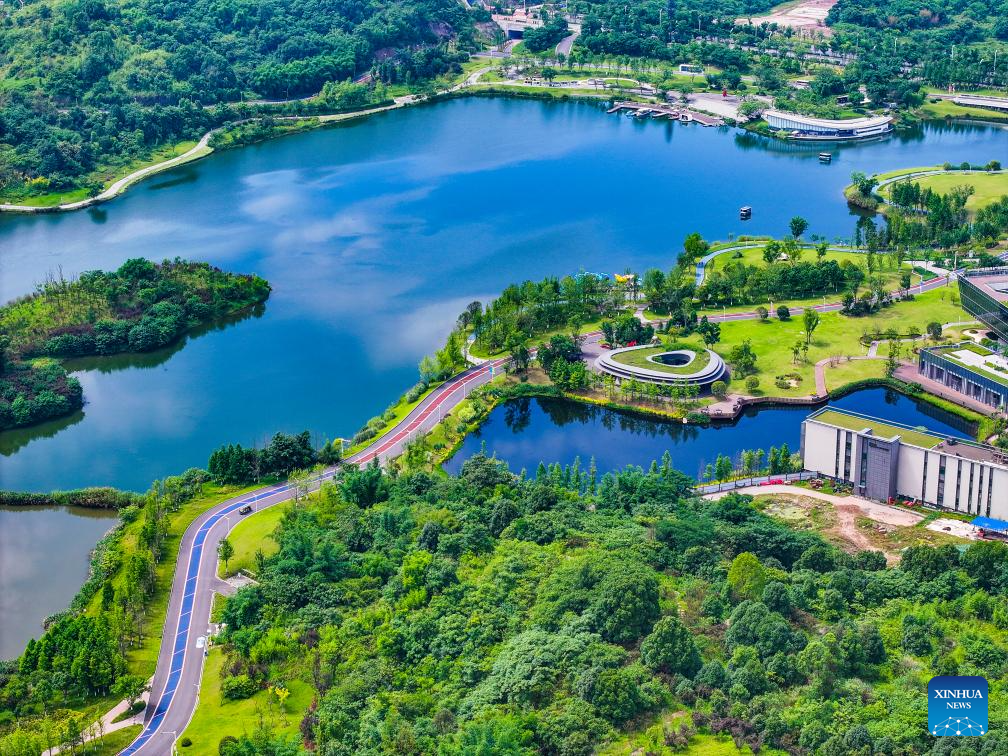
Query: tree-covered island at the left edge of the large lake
column 140, row 308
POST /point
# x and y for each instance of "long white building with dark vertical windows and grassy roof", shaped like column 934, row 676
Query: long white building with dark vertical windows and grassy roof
column 889, row 462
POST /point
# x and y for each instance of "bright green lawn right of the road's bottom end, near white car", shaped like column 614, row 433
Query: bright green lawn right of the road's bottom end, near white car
column 214, row 718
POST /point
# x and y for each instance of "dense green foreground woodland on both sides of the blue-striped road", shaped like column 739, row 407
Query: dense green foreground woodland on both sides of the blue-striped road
column 494, row 613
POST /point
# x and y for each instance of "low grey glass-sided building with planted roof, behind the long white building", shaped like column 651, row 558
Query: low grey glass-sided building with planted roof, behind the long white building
column 969, row 369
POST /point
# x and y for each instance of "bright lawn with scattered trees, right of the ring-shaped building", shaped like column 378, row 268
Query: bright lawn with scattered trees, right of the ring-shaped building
column 837, row 335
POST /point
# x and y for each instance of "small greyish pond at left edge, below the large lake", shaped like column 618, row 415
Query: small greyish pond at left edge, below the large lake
column 44, row 562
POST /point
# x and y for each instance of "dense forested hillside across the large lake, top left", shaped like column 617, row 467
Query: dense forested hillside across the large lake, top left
column 88, row 84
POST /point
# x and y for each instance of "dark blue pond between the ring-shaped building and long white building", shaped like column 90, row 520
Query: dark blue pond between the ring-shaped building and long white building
column 528, row 432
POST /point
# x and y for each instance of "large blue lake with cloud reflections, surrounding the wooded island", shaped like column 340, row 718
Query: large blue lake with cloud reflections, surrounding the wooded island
column 374, row 236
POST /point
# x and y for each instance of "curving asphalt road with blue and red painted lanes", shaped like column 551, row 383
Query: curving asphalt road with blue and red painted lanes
column 176, row 689
